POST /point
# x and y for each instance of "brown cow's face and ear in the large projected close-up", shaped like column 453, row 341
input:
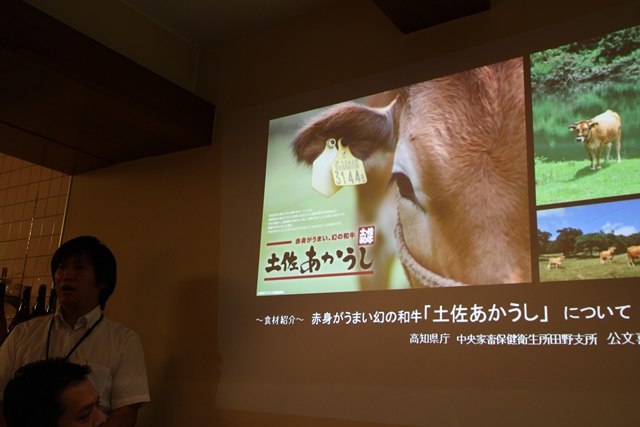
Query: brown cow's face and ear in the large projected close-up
column 460, row 169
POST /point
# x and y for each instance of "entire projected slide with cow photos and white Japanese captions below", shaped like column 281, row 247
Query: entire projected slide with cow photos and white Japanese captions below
column 454, row 251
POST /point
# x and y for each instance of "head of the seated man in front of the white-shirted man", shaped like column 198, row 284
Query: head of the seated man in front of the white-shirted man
column 52, row 393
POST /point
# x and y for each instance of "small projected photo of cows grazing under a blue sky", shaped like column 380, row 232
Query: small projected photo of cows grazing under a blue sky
column 594, row 241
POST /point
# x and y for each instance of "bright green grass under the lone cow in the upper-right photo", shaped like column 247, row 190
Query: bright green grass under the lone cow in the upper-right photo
column 559, row 182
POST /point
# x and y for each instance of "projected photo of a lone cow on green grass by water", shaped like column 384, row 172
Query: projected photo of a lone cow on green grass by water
column 586, row 119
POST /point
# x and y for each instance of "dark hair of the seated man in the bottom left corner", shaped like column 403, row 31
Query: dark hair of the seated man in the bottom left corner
column 32, row 398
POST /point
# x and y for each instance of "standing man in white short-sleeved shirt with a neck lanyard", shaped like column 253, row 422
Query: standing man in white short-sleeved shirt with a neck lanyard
column 84, row 276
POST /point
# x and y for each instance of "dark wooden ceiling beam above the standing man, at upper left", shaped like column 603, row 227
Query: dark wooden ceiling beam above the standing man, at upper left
column 71, row 104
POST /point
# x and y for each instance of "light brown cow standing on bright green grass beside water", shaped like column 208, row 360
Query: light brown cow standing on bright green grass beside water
column 601, row 131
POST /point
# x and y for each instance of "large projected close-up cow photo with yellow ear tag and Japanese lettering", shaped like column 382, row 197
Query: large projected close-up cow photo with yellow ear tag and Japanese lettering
column 407, row 188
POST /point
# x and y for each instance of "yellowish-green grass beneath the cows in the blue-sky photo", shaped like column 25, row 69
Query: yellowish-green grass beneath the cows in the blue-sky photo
column 583, row 267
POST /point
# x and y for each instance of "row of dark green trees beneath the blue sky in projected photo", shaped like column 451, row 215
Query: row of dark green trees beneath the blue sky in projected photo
column 571, row 241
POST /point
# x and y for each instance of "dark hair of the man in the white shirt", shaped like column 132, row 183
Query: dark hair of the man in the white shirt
column 100, row 257
